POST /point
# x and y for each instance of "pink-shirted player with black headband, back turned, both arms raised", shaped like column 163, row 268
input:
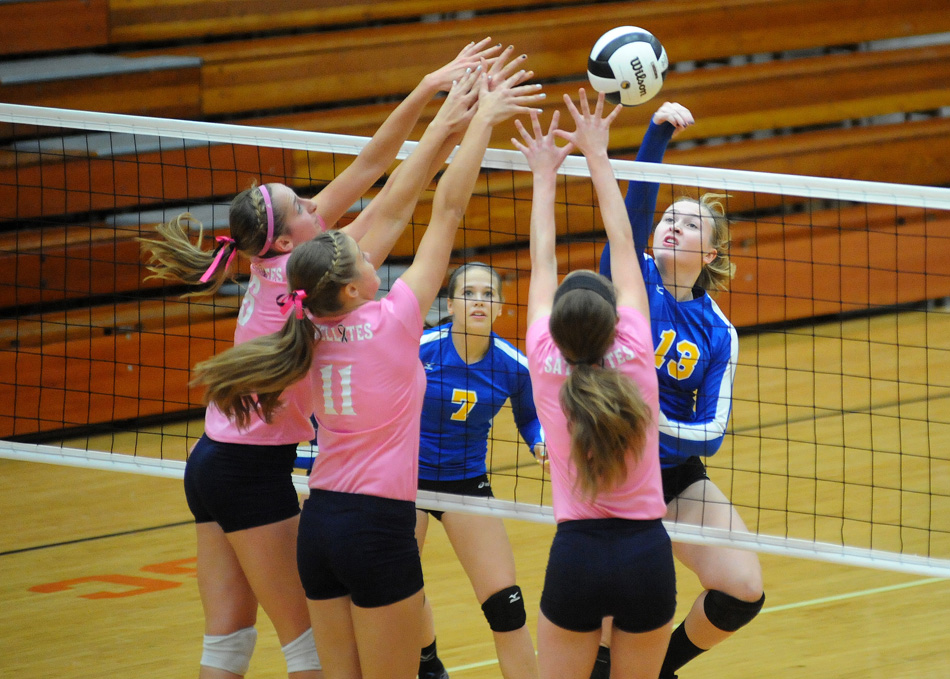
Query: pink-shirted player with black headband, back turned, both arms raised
column 590, row 355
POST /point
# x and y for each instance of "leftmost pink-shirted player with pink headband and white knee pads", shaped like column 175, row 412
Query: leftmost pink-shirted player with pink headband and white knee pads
column 238, row 478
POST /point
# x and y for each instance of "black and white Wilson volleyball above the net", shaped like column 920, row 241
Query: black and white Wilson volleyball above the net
column 628, row 64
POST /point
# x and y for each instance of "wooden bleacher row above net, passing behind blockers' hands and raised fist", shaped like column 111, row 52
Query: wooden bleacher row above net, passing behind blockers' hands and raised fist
column 774, row 95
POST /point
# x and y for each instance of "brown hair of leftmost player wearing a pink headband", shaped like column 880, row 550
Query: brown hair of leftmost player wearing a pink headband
column 174, row 257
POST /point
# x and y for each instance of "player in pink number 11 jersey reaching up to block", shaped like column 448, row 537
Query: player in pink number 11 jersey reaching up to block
column 357, row 554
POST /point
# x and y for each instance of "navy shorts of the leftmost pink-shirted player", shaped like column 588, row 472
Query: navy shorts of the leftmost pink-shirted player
column 240, row 486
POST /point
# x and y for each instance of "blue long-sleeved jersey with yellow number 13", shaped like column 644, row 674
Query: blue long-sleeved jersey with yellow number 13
column 696, row 346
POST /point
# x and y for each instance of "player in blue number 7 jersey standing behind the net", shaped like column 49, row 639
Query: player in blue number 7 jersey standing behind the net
column 470, row 373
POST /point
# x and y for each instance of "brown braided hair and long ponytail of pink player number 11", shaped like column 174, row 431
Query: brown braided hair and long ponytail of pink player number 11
column 250, row 377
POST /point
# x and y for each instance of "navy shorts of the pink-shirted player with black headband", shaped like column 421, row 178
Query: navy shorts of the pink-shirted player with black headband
column 602, row 567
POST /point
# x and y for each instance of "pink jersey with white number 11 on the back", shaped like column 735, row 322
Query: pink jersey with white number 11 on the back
column 368, row 387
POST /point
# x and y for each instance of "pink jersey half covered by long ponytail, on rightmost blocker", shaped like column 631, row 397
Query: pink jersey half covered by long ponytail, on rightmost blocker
column 641, row 495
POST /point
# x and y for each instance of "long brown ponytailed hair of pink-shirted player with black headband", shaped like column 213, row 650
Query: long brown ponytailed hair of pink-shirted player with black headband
column 606, row 414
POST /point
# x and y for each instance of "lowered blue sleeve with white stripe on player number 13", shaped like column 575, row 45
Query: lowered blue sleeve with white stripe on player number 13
column 703, row 434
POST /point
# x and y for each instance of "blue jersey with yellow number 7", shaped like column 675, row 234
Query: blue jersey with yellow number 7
column 461, row 401
